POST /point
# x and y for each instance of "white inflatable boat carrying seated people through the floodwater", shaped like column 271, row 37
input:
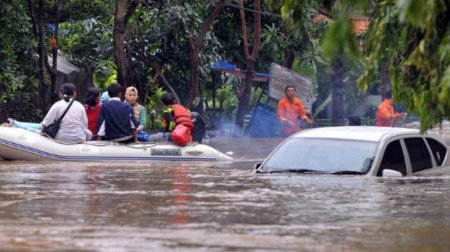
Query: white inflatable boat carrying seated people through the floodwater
column 20, row 144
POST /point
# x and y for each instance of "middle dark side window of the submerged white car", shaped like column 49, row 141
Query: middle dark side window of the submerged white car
column 418, row 154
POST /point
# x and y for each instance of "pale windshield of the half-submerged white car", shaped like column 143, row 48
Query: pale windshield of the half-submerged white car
column 322, row 155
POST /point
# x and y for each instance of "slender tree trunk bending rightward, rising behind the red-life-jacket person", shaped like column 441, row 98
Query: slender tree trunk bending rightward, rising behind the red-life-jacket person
column 195, row 45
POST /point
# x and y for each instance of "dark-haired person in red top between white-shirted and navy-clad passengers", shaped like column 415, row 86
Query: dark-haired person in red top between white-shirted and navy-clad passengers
column 92, row 106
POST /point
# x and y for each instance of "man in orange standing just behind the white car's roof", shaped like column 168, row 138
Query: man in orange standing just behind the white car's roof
column 289, row 109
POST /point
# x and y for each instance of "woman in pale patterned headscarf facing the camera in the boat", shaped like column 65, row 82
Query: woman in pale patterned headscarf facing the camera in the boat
column 140, row 113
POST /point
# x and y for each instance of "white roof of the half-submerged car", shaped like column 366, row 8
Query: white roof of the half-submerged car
column 362, row 133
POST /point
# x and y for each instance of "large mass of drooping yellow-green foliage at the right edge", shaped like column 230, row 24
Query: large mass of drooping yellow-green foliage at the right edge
column 418, row 59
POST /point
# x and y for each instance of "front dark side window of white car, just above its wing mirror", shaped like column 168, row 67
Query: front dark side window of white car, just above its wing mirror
column 393, row 159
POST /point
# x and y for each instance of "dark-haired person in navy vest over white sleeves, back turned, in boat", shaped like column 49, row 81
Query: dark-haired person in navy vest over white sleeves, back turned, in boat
column 116, row 122
